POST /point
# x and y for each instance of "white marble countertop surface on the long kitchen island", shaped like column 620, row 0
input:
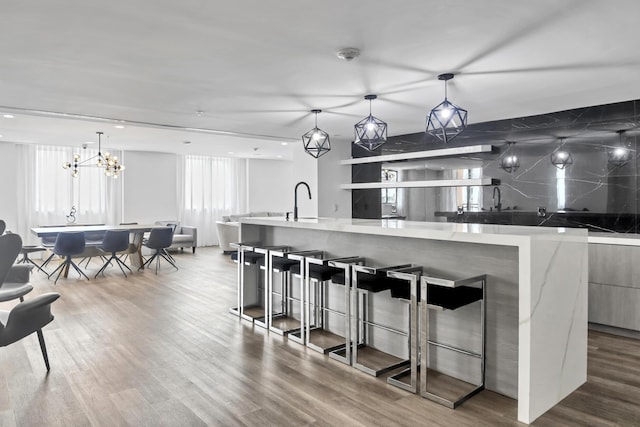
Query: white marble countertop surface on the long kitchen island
column 510, row 235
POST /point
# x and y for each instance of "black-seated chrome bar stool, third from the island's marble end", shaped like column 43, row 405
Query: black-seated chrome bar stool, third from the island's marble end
column 367, row 358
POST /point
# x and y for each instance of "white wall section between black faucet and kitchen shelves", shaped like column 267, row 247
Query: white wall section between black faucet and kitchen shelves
column 332, row 201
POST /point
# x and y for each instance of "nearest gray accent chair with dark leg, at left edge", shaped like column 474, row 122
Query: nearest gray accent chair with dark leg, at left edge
column 26, row 318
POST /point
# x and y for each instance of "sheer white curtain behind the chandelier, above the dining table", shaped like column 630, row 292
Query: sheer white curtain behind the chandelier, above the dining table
column 49, row 192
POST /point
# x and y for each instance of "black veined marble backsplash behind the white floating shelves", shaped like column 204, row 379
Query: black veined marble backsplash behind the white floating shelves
column 598, row 190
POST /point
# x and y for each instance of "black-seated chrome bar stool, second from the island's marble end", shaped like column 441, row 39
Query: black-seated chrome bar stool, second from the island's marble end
column 408, row 292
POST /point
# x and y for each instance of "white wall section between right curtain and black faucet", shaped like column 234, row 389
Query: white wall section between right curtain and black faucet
column 269, row 184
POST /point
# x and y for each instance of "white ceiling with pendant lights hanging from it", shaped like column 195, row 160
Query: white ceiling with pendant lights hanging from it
column 242, row 76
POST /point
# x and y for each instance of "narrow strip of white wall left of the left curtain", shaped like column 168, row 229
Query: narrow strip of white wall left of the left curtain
column 8, row 187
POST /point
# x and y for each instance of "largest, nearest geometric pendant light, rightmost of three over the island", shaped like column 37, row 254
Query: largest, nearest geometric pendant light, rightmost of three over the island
column 446, row 120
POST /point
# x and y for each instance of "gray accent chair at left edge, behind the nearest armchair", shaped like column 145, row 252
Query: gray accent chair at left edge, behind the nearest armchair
column 13, row 278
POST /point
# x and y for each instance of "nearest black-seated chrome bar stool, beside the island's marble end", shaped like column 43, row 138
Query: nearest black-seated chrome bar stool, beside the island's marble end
column 442, row 294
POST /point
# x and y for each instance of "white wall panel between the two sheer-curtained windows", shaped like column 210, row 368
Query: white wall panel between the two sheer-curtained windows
column 150, row 187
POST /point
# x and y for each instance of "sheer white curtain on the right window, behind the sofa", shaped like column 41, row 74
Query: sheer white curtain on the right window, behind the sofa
column 211, row 188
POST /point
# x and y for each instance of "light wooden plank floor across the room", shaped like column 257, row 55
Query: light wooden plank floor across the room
column 163, row 350
